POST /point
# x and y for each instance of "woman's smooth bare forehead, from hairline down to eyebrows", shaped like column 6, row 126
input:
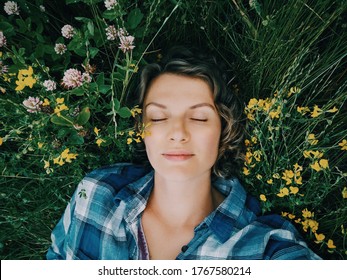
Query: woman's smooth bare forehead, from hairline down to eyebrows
column 173, row 88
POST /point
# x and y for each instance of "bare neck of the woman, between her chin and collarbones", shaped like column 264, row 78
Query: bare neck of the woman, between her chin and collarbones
column 183, row 203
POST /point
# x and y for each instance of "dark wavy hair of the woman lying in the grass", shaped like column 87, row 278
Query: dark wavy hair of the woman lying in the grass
column 191, row 63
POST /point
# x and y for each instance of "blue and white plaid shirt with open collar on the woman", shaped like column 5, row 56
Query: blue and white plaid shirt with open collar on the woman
column 103, row 221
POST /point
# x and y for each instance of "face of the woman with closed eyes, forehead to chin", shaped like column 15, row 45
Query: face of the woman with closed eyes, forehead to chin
column 184, row 129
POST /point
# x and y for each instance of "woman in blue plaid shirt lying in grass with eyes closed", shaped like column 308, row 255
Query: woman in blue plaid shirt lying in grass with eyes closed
column 188, row 203
